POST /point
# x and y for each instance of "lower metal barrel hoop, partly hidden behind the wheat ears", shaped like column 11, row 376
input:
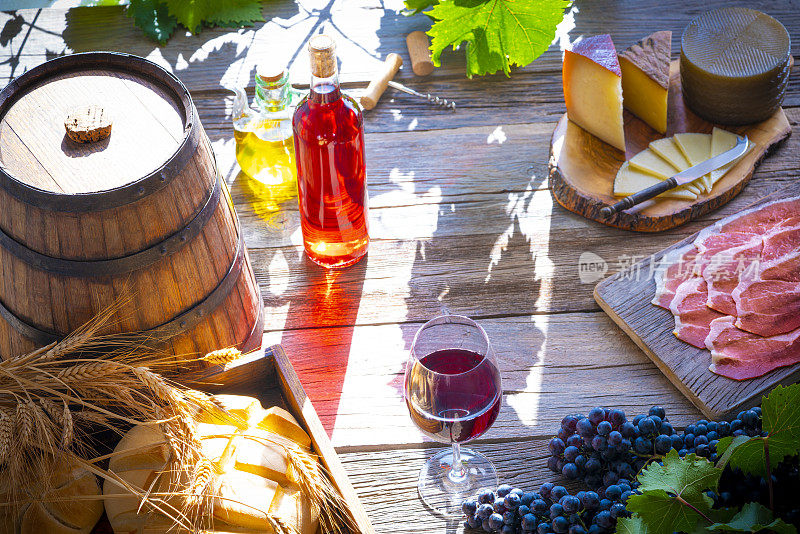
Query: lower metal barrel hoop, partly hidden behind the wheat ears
column 180, row 324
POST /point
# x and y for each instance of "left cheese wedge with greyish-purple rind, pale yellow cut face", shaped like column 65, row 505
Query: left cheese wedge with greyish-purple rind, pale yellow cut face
column 593, row 89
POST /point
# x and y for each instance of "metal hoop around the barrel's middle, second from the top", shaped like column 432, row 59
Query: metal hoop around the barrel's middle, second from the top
column 125, row 264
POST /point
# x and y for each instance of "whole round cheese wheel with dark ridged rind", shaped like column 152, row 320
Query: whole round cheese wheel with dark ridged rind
column 735, row 65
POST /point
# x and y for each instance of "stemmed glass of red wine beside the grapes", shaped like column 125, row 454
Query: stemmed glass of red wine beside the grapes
column 453, row 391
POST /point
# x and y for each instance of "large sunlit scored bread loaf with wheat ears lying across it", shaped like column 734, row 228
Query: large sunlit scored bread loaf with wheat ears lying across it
column 254, row 475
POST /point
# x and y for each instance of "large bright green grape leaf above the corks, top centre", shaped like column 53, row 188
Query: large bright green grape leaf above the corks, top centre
column 498, row 33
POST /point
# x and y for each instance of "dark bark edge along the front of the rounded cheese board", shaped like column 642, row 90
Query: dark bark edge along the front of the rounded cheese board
column 590, row 207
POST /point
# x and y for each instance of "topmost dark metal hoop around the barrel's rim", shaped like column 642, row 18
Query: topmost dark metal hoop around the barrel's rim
column 126, row 194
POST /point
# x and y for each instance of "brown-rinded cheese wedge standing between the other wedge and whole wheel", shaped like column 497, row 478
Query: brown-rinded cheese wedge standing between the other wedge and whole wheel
column 645, row 79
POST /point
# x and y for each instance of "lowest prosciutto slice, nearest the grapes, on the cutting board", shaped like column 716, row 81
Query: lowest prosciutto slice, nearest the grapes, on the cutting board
column 741, row 355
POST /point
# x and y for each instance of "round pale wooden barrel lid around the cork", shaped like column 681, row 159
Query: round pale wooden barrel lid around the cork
column 150, row 117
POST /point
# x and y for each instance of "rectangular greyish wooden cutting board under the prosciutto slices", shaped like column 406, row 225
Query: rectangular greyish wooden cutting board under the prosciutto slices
column 626, row 297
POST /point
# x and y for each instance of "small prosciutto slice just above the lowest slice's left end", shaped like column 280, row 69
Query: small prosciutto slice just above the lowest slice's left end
column 692, row 316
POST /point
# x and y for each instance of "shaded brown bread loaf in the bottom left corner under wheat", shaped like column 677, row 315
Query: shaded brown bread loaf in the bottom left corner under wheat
column 49, row 511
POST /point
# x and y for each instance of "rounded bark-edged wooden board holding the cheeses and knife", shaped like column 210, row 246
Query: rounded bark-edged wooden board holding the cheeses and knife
column 582, row 168
